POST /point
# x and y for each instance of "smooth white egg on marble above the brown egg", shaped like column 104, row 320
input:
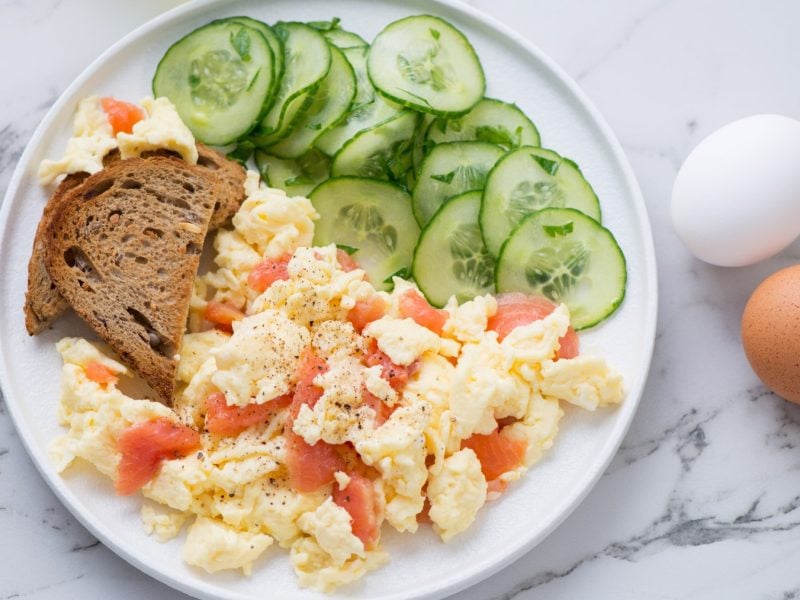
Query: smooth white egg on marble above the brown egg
column 736, row 199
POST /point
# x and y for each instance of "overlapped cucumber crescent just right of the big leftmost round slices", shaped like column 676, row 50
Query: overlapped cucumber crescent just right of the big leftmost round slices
column 307, row 58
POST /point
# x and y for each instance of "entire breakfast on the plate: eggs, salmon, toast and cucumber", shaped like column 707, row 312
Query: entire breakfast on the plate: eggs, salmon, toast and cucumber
column 308, row 391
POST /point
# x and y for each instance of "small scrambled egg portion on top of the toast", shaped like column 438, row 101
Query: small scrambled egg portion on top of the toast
column 93, row 138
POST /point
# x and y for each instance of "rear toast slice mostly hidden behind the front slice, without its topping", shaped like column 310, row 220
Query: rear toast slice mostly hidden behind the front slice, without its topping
column 43, row 302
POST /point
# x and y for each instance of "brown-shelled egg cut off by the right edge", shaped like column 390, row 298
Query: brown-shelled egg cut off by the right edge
column 771, row 332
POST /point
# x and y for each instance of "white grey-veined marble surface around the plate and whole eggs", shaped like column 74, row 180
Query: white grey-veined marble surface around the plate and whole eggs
column 700, row 501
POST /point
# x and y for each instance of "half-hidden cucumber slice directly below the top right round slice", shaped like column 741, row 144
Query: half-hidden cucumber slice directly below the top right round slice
column 490, row 121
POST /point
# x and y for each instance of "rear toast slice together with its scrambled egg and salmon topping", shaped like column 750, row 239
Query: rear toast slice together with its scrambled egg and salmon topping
column 94, row 145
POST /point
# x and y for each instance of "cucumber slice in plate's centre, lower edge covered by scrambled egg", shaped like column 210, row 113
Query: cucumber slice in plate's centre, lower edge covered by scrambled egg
column 373, row 216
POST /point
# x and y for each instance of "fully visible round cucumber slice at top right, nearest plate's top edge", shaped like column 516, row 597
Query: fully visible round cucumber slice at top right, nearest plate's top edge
column 425, row 63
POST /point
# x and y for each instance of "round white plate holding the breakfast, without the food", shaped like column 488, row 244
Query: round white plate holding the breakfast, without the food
column 421, row 566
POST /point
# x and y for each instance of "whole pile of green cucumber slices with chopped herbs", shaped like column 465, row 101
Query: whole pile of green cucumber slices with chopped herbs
column 402, row 155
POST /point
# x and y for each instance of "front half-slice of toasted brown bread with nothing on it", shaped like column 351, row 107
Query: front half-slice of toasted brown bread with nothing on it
column 123, row 249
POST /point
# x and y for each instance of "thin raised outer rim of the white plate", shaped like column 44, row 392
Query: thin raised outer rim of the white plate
column 583, row 485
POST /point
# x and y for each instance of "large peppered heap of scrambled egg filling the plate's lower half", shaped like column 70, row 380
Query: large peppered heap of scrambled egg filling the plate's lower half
column 236, row 491
